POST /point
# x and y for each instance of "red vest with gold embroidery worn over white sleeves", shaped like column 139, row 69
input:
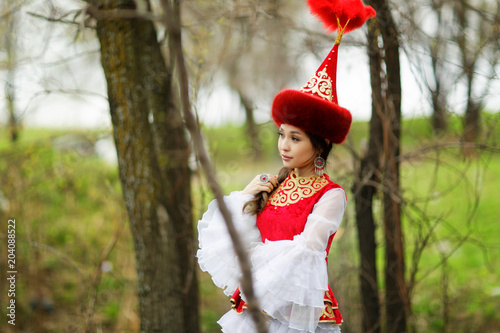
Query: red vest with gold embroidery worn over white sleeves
column 285, row 216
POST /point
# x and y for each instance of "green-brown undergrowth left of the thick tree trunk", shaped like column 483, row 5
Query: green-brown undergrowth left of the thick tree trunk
column 67, row 204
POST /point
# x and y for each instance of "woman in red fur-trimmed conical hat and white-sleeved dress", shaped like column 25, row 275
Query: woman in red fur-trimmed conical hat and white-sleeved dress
column 288, row 222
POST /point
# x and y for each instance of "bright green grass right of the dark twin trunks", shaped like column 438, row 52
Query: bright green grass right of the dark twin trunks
column 464, row 201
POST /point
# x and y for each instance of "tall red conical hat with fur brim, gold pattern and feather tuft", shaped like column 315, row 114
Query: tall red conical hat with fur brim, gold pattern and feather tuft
column 315, row 107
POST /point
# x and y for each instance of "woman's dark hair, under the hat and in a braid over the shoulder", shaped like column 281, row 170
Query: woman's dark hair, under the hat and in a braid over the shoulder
column 257, row 204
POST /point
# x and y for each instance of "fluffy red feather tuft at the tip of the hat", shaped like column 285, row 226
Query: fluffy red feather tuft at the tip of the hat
column 351, row 14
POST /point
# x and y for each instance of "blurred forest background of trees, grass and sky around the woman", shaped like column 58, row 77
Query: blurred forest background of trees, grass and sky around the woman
column 76, row 240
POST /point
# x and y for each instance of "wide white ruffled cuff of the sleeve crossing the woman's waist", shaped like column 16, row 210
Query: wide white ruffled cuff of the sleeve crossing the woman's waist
column 290, row 281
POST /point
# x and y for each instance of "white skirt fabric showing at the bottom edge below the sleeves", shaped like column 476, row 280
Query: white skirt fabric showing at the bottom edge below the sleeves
column 233, row 322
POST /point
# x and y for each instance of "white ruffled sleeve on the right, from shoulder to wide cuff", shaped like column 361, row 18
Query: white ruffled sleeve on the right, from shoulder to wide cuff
column 291, row 275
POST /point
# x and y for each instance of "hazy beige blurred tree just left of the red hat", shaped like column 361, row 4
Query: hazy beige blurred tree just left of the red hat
column 262, row 34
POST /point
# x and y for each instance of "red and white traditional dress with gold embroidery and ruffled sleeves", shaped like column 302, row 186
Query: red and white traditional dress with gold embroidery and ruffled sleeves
column 288, row 244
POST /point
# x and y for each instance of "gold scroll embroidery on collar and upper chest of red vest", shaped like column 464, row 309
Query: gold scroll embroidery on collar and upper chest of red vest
column 296, row 188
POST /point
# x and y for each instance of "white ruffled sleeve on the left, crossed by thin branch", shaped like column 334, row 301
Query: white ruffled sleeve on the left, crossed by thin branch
column 216, row 254
